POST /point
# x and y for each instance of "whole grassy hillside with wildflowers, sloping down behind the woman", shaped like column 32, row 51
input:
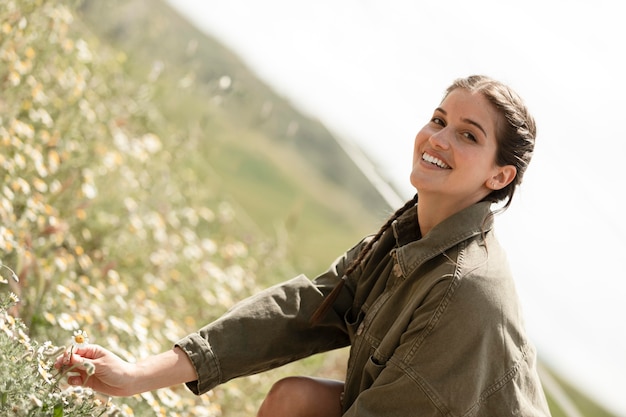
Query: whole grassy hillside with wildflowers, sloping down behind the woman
column 144, row 134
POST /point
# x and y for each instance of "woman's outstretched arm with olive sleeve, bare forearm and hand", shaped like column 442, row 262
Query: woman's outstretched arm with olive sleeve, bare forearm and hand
column 267, row 330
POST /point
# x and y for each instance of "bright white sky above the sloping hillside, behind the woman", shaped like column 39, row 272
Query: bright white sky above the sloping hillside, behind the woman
column 374, row 70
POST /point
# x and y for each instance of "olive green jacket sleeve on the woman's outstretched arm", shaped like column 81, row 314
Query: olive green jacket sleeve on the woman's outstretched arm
column 268, row 330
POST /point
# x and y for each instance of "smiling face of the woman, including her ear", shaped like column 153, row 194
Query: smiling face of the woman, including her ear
column 454, row 154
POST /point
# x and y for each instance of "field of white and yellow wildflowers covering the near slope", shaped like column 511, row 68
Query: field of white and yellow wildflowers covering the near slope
column 99, row 230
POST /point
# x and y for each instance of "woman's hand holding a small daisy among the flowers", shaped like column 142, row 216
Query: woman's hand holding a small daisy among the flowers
column 96, row 367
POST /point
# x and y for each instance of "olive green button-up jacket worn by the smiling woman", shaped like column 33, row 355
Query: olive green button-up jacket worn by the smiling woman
column 434, row 326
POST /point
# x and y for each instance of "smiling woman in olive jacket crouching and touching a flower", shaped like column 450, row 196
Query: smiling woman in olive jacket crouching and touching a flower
column 427, row 305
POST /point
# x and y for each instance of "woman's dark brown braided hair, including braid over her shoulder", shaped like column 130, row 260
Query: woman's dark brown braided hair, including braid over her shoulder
column 515, row 146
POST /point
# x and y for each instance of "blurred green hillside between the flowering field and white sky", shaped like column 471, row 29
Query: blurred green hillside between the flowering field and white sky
column 278, row 165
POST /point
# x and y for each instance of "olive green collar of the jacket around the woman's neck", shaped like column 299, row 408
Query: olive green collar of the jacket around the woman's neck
column 412, row 249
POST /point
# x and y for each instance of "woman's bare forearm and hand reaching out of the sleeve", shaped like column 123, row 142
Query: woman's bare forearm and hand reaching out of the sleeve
column 105, row 372
